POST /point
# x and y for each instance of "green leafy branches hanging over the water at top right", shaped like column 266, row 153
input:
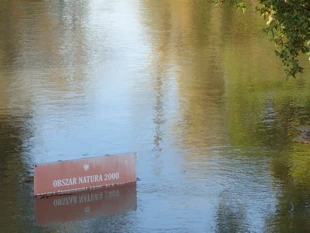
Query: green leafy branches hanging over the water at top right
column 288, row 24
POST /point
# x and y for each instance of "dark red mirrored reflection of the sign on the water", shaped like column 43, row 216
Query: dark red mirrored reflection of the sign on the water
column 86, row 205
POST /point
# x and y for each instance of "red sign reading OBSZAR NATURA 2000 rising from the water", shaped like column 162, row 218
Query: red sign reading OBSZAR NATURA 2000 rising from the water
column 84, row 174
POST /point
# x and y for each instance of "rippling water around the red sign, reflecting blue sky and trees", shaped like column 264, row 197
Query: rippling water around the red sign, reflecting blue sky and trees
column 194, row 89
